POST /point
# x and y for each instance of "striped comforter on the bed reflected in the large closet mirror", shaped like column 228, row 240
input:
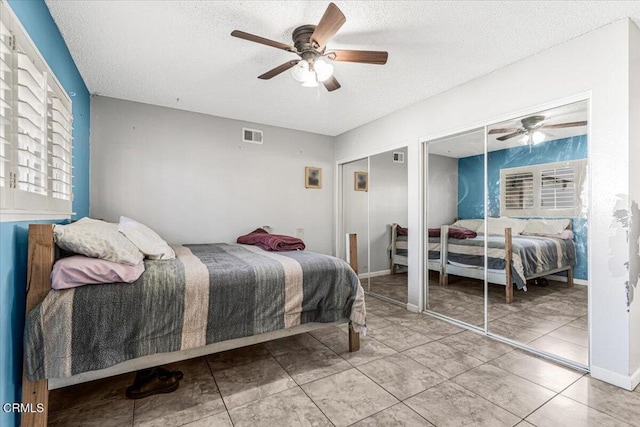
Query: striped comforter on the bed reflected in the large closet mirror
column 531, row 255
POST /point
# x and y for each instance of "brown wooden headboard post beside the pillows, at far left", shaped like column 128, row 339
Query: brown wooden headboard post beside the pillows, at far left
column 41, row 256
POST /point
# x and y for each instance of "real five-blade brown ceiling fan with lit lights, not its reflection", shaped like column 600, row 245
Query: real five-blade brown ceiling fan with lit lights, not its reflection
column 309, row 43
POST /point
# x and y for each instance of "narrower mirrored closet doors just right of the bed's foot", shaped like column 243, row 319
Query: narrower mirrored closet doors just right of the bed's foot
column 374, row 206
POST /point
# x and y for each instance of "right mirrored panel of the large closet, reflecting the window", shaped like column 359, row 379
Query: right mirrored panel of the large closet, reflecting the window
column 537, row 187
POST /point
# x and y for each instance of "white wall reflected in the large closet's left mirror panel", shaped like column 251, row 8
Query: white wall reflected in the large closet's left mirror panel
column 442, row 190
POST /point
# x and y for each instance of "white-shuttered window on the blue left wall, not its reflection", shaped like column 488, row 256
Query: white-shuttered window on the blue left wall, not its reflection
column 35, row 130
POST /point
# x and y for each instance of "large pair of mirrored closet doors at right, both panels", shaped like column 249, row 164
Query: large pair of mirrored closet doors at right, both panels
column 507, row 217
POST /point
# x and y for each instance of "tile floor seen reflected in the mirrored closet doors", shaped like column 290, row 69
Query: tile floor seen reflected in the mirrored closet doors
column 551, row 318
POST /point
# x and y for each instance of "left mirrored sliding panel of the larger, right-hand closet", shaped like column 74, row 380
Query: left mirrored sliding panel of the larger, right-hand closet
column 454, row 216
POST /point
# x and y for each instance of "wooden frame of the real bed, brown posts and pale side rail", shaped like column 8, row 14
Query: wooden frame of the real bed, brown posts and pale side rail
column 42, row 253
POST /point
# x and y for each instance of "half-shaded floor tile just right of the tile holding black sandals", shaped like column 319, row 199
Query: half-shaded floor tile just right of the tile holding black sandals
column 246, row 383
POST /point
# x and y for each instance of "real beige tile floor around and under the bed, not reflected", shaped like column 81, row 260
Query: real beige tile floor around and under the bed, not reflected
column 412, row 370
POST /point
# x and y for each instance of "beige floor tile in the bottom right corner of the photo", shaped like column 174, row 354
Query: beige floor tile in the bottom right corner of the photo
column 617, row 402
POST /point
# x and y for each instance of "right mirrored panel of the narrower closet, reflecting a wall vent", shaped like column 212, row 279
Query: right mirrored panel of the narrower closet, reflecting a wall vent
column 388, row 196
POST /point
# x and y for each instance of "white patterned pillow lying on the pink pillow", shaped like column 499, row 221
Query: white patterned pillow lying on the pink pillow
column 97, row 239
